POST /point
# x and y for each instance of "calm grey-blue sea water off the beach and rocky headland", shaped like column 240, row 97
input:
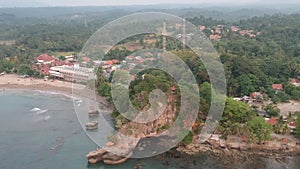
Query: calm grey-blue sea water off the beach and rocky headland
column 41, row 131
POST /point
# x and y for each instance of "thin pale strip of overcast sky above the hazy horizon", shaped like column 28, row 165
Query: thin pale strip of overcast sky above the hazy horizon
column 127, row 2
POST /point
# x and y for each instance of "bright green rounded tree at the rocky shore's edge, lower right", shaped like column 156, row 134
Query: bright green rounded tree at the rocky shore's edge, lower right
column 260, row 129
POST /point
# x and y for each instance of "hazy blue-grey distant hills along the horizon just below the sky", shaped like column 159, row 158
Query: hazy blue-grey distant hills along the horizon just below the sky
column 226, row 13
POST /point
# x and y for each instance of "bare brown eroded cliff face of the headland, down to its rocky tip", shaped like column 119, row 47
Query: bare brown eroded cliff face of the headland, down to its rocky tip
column 129, row 135
